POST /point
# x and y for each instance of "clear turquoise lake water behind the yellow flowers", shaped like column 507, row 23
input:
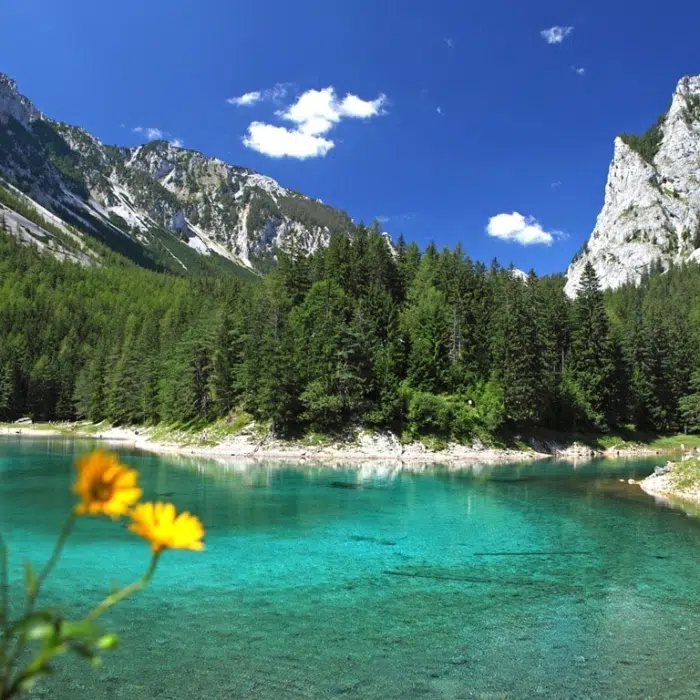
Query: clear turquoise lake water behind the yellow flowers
column 535, row 581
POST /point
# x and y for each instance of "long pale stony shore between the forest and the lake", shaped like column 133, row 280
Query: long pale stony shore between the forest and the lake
column 363, row 448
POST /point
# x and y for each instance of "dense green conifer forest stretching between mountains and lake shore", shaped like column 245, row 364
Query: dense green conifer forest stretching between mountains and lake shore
column 357, row 334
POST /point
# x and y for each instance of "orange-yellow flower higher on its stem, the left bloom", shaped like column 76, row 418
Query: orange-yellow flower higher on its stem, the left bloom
column 105, row 486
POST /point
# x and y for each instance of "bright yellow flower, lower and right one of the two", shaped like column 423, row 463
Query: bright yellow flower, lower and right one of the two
column 164, row 529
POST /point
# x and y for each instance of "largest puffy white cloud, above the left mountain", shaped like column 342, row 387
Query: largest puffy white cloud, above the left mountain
column 314, row 114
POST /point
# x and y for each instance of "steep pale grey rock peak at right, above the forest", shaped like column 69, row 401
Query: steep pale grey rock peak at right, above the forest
column 651, row 213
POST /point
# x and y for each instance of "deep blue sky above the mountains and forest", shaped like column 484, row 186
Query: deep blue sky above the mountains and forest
column 461, row 111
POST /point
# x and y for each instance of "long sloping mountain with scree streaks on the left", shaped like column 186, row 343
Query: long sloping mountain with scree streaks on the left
column 157, row 204
